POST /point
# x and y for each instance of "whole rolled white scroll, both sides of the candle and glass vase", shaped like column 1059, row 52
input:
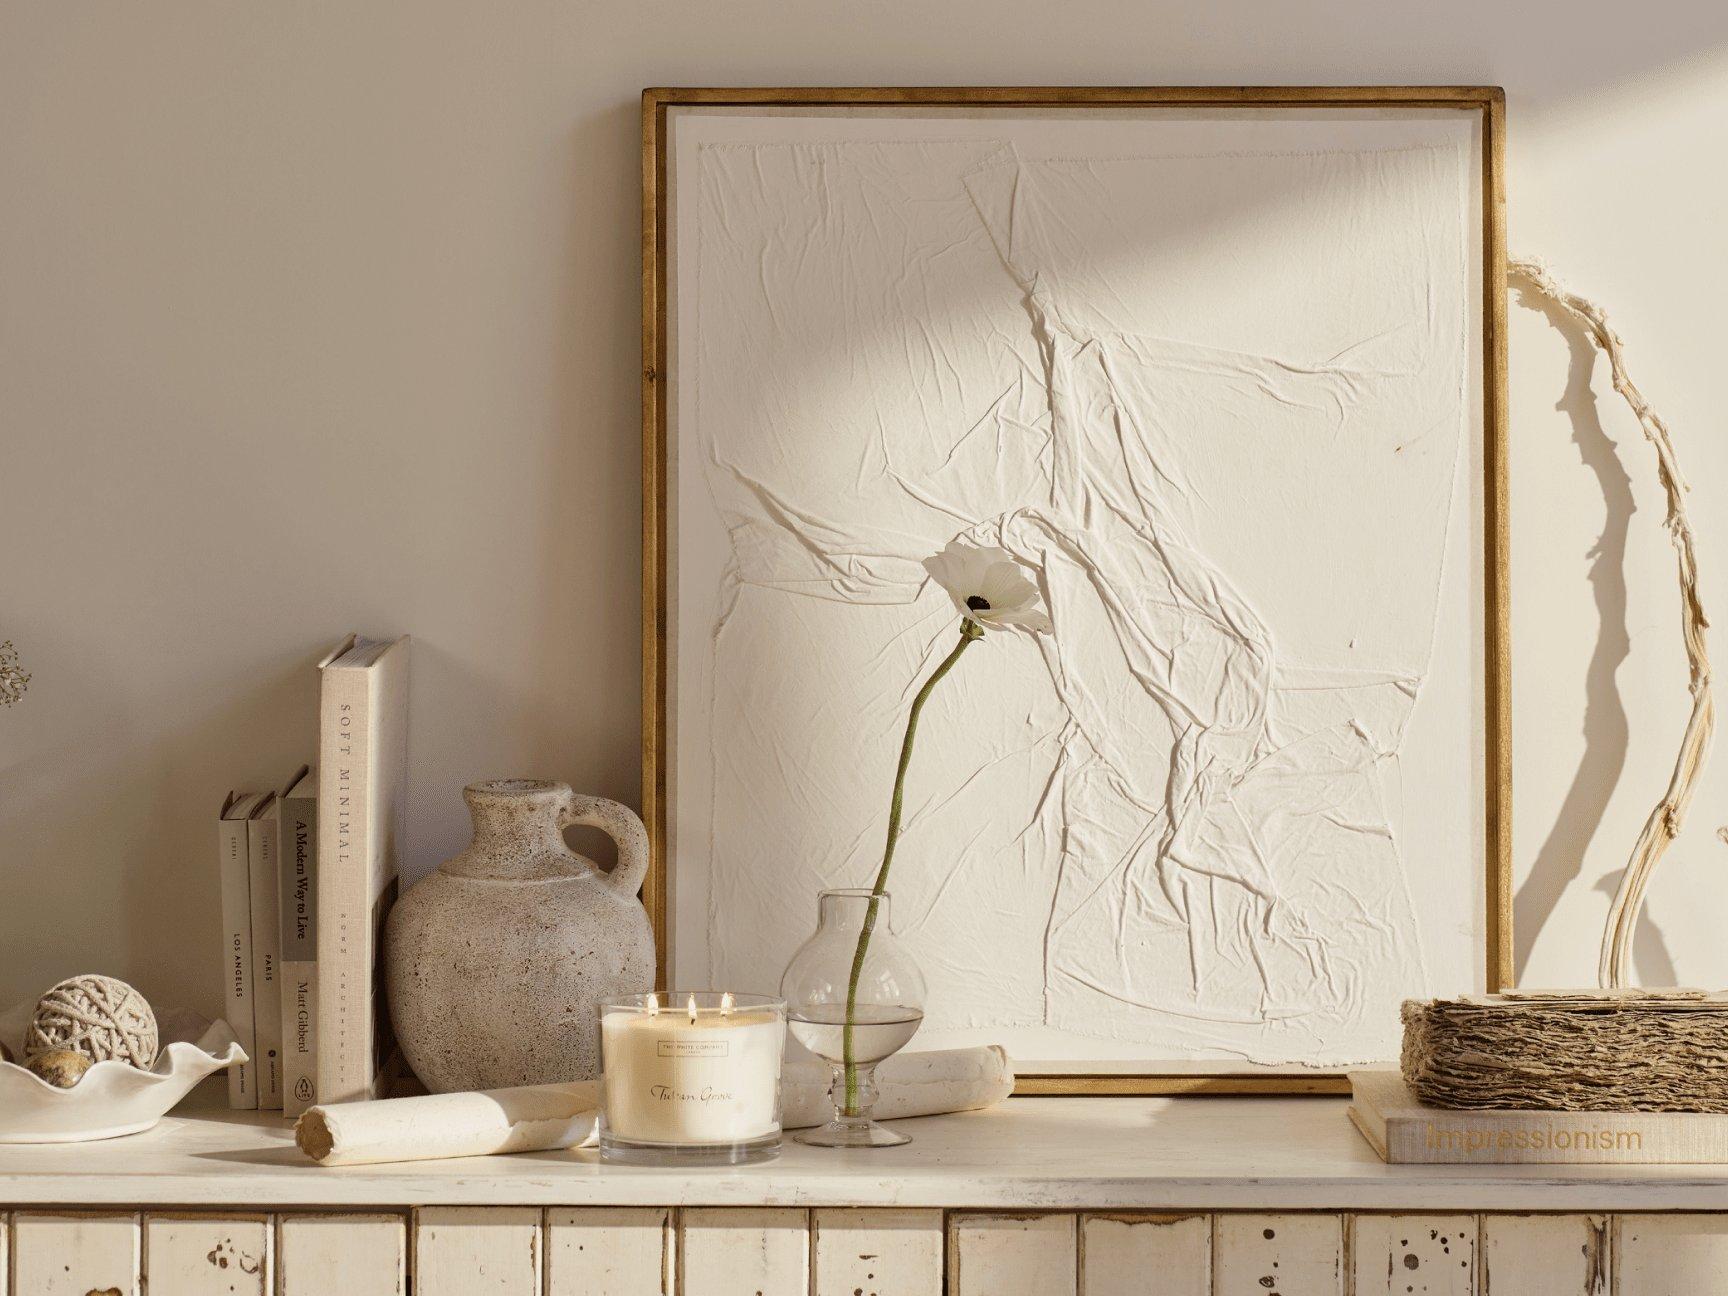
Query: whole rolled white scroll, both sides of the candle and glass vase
column 540, row 1119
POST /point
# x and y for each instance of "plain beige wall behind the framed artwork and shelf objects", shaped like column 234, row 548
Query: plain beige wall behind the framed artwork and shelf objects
column 321, row 317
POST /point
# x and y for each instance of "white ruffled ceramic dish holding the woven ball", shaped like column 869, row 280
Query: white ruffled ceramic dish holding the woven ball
column 113, row 1098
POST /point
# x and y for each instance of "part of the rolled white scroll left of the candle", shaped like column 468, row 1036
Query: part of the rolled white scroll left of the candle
column 426, row 1129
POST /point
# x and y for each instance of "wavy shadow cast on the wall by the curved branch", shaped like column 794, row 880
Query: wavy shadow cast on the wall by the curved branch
column 1561, row 858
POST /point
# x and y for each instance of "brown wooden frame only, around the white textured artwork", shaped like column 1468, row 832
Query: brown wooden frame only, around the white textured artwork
column 1483, row 103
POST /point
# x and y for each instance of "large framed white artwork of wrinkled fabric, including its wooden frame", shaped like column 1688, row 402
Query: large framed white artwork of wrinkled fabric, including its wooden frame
column 1226, row 372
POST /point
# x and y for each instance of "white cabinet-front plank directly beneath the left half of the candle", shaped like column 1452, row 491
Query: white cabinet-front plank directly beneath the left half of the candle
column 609, row 1252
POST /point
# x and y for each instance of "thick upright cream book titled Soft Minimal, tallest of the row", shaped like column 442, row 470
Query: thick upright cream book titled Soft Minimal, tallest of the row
column 362, row 768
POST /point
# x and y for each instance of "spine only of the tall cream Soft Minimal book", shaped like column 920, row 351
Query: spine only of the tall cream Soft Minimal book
column 345, row 887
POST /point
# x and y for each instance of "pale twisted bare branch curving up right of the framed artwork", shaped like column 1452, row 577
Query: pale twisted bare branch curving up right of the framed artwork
column 1670, row 813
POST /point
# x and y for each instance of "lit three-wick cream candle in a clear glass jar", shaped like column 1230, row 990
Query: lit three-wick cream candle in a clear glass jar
column 675, row 1079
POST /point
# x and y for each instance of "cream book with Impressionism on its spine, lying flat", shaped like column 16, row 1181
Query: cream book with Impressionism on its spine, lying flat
column 1409, row 1133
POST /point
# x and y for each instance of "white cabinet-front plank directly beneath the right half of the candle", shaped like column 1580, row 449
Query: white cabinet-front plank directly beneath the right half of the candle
column 744, row 1252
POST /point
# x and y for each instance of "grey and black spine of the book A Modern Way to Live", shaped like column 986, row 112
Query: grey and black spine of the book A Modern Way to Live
column 300, row 955
